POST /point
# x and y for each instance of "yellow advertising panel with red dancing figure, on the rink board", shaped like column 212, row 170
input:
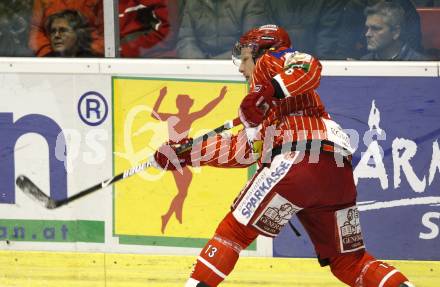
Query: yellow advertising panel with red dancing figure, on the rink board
column 170, row 208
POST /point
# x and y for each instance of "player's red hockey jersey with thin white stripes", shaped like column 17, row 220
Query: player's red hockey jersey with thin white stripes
column 299, row 117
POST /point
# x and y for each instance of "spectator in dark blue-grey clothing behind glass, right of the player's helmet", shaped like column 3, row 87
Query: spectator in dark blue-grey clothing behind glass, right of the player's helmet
column 313, row 24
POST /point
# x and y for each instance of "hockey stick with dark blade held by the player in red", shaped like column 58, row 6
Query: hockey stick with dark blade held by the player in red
column 30, row 189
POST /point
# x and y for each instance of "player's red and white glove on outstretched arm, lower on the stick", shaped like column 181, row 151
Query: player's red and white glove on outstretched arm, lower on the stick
column 170, row 155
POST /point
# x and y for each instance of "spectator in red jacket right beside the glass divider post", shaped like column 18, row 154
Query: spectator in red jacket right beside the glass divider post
column 148, row 28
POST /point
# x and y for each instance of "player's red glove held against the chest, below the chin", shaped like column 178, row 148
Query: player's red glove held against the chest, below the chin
column 254, row 106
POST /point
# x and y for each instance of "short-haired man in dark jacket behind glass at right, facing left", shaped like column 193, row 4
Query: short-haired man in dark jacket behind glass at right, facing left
column 384, row 27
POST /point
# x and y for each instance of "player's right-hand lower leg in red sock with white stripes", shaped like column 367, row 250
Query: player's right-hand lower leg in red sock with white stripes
column 362, row 269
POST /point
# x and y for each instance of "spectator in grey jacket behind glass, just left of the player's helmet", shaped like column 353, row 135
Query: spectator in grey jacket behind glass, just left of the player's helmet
column 210, row 27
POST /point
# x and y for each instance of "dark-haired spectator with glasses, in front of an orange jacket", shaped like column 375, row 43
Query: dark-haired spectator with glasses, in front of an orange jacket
column 69, row 35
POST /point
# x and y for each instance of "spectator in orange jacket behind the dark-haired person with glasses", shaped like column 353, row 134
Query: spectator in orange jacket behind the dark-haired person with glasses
column 92, row 10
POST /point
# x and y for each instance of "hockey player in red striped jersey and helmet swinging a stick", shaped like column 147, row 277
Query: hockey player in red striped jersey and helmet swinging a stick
column 312, row 177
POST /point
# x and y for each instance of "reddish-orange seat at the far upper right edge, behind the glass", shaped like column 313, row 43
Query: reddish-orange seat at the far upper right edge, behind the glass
column 430, row 26
